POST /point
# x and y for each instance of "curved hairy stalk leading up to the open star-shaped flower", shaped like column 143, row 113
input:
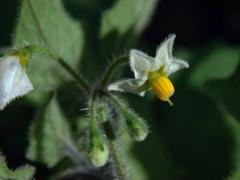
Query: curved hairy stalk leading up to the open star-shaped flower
column 111, row 68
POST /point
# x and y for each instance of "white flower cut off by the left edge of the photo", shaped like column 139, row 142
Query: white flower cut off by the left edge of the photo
column 14, row 81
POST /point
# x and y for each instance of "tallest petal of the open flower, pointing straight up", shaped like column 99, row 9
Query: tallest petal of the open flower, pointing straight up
column 164, row 51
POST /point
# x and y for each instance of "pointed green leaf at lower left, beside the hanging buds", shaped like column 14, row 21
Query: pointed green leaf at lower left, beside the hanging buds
column 49, row 134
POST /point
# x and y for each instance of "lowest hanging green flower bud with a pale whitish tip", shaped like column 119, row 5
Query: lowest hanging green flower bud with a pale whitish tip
column 98, row 150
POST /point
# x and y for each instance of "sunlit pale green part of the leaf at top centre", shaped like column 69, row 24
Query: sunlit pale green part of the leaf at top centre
column 127, row 14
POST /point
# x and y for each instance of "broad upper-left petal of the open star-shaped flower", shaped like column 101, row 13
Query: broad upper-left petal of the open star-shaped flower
column 140, row 64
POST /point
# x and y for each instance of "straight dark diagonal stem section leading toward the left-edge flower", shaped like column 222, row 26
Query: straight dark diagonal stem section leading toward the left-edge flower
column 75, row 75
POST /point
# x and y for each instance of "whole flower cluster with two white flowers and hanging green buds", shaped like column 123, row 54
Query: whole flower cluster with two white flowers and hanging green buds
column 149, row 72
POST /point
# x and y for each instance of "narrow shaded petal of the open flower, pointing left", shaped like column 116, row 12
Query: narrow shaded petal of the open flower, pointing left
column 128, row 85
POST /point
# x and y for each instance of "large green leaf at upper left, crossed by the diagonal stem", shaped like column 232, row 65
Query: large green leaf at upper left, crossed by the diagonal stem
column 44, row 22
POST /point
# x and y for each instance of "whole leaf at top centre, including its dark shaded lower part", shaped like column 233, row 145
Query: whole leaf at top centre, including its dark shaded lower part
column 123, row 22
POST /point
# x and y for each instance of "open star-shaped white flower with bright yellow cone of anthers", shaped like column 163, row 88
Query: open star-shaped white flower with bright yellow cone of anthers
column 152, row 72
